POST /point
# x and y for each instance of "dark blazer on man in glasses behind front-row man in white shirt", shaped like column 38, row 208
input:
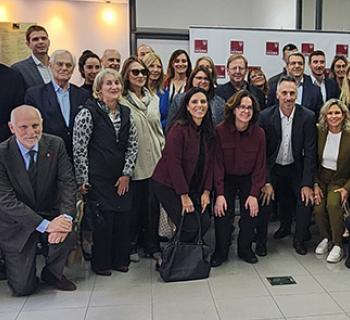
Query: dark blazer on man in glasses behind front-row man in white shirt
column 312, row 97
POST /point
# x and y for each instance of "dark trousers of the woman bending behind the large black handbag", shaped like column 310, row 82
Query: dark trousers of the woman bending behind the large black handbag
column 171, row 202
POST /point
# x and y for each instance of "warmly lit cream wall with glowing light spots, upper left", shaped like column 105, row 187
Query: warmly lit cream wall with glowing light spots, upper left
column 75, row 26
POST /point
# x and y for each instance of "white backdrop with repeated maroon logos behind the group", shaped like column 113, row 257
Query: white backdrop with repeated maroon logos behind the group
column 216, row 41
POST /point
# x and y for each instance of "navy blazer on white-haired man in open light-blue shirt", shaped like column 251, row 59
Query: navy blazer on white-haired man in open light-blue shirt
column 45, row 99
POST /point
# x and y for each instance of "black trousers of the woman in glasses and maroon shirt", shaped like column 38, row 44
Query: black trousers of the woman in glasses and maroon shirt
column 223, row 225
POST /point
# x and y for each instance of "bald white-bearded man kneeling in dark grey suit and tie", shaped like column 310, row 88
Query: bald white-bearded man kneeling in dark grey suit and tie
column 37, row 202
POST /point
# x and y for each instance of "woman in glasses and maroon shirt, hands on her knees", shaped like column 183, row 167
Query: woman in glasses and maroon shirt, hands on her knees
column 239, row 169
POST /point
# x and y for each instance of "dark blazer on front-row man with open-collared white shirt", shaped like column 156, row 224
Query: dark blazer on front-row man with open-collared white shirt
column 303, row 141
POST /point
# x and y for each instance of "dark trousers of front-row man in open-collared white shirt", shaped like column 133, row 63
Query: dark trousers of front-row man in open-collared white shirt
column 287, row 186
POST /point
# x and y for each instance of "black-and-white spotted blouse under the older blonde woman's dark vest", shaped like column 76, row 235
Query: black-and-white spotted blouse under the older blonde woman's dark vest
column 83, row 128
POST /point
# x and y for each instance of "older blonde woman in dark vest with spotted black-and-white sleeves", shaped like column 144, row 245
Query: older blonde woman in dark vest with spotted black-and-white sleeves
column 105, row 150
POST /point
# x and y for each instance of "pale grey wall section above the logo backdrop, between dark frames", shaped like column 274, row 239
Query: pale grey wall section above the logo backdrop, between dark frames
column 235, row 13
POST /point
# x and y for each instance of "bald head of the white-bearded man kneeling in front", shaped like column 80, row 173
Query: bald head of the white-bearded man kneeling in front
column 27, row 125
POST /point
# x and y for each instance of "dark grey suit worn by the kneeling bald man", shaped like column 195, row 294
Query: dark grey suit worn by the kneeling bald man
column 21, row 212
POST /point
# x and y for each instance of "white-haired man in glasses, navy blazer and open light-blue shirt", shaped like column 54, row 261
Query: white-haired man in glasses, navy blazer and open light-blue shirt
column 58, row 101
